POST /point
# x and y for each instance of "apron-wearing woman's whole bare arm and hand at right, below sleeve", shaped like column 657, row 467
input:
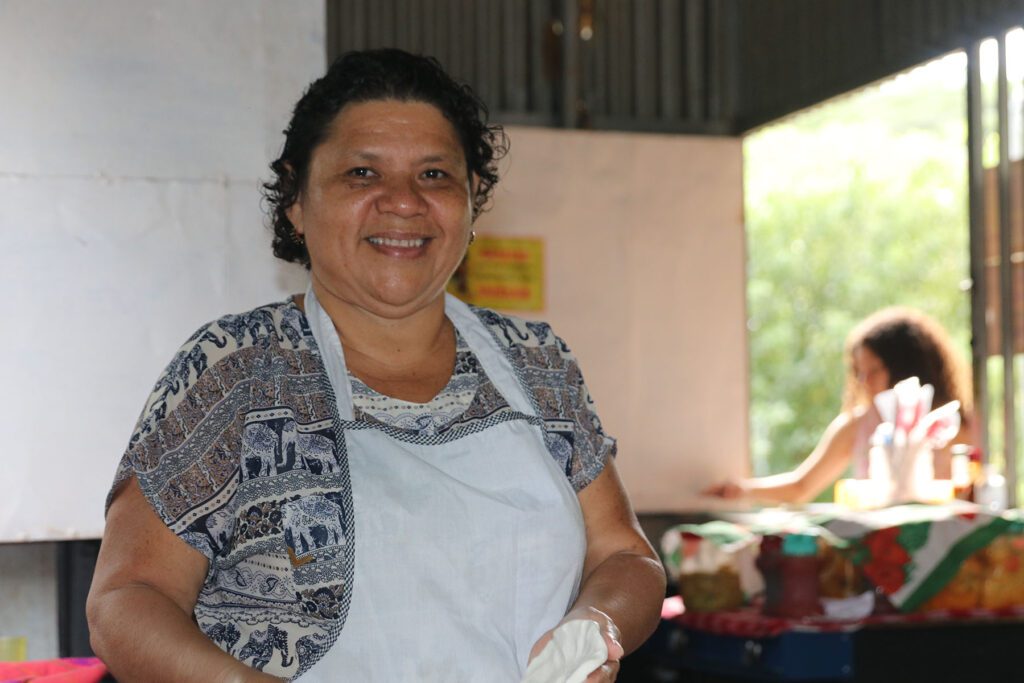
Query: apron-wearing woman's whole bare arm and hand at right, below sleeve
column 623, row 579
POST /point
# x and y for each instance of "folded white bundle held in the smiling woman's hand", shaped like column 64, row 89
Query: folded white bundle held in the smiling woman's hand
column 576, row 650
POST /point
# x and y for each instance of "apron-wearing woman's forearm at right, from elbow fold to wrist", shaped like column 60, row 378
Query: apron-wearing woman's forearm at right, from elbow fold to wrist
column 629, row 587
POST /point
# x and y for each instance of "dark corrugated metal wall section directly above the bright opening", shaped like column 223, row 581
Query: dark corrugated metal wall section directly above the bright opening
column 796, row 54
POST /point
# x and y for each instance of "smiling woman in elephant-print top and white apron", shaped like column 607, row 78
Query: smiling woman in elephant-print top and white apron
column 371, row 482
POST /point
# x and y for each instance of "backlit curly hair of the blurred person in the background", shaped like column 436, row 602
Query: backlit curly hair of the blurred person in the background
column 910, row 345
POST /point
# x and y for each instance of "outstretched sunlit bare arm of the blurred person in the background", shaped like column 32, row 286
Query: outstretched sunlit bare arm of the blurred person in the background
column 826, row 464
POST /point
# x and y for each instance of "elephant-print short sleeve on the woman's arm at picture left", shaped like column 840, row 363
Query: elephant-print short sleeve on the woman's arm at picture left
column 184, row 451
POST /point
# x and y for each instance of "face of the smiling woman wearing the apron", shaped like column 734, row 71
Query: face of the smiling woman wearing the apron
column 387, row 210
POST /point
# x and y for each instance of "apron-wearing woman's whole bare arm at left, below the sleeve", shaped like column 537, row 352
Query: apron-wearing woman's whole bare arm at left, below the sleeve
column 141, row 604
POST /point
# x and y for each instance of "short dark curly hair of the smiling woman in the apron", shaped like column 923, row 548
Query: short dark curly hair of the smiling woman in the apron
column 368, row 76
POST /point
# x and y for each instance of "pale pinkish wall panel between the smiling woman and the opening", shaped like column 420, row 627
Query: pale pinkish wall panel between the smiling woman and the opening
column 646, row 281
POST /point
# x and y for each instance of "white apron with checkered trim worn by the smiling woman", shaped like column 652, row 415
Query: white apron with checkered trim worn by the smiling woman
column 468, row 546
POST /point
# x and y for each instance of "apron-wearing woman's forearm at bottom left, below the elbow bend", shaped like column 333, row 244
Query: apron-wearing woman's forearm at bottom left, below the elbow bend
column 142, row 635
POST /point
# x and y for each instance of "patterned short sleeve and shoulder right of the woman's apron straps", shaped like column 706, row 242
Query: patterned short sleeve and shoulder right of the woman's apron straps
column 552, row 375
